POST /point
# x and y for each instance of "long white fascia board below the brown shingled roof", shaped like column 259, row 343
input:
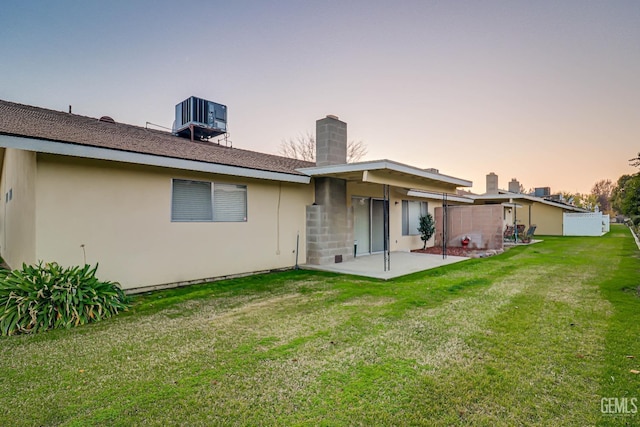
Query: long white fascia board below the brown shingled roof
column 89, row 152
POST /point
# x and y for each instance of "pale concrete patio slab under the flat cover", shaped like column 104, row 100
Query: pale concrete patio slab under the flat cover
column 402, row 263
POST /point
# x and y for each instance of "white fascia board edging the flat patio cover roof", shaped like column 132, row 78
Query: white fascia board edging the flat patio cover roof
column 384, row 164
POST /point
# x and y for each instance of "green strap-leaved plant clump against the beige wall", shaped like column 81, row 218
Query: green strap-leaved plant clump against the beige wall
column 48, row 296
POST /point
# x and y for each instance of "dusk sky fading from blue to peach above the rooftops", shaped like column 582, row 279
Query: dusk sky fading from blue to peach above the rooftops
column 547, row 92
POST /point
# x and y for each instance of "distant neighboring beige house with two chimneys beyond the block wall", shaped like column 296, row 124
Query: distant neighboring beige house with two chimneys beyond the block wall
column 519, row 208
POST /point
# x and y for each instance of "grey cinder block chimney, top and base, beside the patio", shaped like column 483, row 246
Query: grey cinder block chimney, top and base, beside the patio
column 329, row 221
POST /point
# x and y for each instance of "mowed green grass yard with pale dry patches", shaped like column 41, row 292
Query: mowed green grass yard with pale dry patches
column 536, row 336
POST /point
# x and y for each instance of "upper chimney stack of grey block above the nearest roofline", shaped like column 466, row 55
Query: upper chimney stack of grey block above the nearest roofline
column 331, row 141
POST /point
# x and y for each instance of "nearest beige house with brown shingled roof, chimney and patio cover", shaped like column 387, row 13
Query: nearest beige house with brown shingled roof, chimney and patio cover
column 157, row 210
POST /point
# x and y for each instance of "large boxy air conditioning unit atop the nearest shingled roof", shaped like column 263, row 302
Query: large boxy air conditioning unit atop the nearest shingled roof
column 198, row 118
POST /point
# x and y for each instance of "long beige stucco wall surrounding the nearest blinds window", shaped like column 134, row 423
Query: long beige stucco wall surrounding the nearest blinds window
column 122, row 214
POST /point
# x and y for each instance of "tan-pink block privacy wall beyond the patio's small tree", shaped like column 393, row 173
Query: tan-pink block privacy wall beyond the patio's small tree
column 481, row 223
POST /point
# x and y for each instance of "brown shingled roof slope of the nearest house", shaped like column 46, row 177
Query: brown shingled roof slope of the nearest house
column 44, row 124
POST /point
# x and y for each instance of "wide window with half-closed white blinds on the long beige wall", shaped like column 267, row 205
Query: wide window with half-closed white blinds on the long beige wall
column 200, row 201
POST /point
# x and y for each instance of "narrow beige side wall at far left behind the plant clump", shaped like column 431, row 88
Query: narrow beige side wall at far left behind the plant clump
column 17, row 216
